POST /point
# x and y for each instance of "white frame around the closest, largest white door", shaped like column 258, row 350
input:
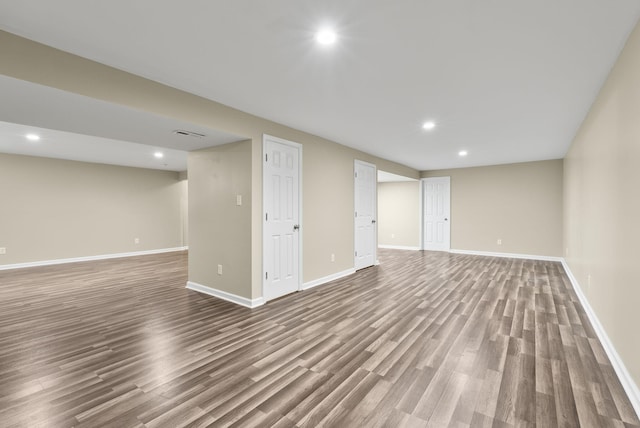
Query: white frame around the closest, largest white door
column 298, row 146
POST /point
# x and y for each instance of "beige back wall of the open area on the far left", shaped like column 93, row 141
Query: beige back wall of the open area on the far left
column 55, row 209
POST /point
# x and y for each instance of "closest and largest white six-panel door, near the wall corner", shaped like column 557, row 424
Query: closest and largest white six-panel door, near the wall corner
column 281, row 234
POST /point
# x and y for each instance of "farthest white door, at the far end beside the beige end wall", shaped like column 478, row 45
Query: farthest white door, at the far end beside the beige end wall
column 436, row 213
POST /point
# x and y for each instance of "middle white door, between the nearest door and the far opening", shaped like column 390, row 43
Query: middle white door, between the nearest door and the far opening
column 365, row 214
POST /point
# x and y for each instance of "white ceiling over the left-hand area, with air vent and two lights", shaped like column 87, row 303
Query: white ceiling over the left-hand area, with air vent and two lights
column 76, row 127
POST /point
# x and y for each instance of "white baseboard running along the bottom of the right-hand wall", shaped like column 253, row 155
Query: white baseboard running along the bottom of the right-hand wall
column 630, row 387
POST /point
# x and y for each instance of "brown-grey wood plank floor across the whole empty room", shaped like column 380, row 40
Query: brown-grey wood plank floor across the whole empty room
column 424, row 339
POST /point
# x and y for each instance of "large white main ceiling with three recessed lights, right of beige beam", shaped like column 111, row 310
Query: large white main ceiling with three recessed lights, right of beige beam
column 506, row 80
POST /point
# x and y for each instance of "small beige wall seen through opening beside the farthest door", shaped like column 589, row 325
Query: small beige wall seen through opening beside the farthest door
column 399, row 214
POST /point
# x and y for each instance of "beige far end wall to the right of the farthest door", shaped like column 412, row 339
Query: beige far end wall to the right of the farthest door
column 521, row 204
